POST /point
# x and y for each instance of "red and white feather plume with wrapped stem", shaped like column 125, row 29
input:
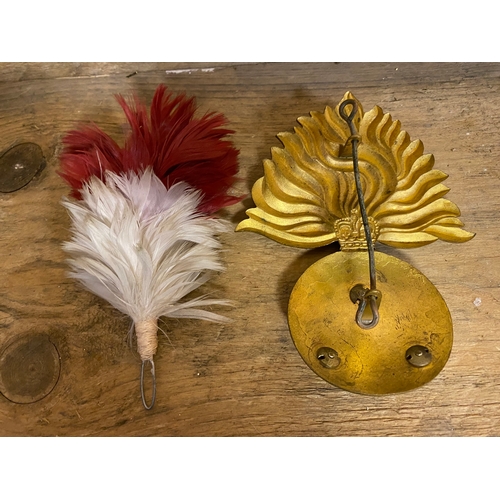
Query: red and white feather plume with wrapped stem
column 142, row 232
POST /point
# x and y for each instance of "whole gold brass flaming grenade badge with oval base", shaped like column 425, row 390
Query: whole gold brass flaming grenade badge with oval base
column 364, row 321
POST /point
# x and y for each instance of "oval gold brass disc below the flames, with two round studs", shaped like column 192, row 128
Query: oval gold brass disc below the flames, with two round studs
column 406, row 349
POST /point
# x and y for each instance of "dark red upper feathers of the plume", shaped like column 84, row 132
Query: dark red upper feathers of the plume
column 178, row 146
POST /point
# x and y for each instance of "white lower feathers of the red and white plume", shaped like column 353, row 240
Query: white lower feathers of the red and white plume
column 143, row 247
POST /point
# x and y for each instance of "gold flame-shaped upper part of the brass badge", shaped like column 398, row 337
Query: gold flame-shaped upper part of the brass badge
column 307, row 197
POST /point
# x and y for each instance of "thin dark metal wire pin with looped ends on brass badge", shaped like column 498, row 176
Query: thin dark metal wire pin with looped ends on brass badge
column 372, row 293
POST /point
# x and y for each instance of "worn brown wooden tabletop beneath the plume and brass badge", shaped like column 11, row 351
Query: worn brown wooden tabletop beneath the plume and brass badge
column 244, row 378
